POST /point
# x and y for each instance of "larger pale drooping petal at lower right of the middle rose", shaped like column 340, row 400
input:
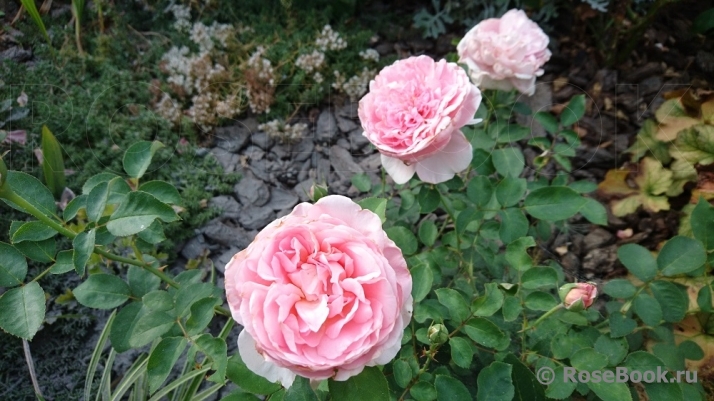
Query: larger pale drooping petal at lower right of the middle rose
column 454, row 158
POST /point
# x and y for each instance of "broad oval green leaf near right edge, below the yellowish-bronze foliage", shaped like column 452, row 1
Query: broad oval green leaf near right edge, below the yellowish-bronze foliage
column 681, row 255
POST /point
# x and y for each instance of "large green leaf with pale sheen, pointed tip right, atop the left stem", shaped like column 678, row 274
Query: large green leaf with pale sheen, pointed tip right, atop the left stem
column 137, row 212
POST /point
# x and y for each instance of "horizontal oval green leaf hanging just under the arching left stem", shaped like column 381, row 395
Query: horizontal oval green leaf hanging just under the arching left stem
column 102, row 291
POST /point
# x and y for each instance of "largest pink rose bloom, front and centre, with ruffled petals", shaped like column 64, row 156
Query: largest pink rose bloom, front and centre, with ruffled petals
column 321, row 293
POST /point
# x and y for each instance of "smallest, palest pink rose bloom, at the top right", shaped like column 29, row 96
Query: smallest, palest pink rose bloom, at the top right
column 505, row 53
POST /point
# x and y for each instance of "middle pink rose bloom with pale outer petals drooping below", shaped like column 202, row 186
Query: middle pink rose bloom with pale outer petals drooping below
column 413, row 114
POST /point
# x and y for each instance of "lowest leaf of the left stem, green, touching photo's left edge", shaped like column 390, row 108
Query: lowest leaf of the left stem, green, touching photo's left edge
column 23, row 310
